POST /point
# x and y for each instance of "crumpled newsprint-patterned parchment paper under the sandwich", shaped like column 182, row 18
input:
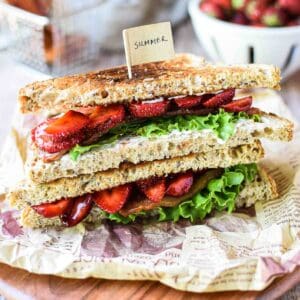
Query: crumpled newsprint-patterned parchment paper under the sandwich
column 226, row 252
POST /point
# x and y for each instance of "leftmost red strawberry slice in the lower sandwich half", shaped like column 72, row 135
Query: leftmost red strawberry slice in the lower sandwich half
column 53, row 209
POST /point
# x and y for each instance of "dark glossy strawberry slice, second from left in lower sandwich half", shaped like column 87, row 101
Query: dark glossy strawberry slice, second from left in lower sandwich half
column 79, row 209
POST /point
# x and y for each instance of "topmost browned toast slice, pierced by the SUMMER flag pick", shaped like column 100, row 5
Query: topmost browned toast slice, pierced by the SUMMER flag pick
column 184, row 75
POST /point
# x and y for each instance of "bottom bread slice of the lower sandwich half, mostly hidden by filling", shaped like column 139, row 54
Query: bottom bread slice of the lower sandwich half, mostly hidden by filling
column 263, row 188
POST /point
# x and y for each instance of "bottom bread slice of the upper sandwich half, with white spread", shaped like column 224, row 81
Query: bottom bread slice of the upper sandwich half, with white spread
column 142, row 149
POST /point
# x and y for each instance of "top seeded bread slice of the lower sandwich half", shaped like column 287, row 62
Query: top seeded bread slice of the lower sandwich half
column 72, row 187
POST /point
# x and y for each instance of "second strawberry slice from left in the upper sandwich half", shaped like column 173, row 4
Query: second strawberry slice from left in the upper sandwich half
column 103, row 118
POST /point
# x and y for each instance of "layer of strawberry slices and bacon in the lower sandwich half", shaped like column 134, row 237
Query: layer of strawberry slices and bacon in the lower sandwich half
column 126, row 199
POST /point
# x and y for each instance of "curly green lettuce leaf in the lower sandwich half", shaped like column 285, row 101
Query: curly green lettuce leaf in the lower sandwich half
column 220, row 195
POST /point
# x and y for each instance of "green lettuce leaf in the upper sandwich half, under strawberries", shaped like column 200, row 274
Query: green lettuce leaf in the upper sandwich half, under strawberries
column 222, row 123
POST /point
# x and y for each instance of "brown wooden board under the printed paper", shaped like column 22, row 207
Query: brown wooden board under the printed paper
column 19, row 284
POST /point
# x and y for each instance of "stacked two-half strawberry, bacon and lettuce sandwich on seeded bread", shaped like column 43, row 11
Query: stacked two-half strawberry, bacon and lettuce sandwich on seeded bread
column 174, row 142
